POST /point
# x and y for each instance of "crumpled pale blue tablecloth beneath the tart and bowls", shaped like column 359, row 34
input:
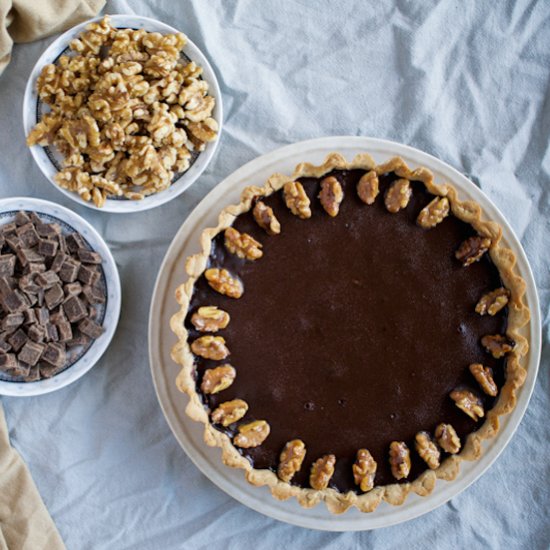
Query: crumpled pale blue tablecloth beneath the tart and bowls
column 464, row 80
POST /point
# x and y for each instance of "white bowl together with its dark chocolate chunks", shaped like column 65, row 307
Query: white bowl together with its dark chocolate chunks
column 59, row 296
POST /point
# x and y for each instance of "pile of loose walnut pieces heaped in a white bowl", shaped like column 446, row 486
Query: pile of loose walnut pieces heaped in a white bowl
column 126, row 112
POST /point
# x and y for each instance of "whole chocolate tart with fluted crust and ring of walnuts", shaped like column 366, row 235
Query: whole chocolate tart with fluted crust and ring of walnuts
column 350, row 333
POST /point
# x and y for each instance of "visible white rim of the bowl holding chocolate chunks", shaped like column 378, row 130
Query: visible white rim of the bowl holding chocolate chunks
column 82, row 359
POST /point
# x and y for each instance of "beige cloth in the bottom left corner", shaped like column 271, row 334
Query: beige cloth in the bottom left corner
column 24, row 521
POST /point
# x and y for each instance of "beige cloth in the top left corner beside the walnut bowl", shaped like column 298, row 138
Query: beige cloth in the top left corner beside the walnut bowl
column 28, row 20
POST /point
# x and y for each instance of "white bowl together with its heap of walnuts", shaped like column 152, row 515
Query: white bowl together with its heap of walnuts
column 122, row 113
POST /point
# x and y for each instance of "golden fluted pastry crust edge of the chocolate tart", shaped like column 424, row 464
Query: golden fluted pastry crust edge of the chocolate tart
column 518, row 316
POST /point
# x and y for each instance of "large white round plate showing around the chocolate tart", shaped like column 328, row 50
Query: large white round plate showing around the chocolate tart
column 190, row 433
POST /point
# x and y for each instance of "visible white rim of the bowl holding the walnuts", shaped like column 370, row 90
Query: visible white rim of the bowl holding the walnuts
column 46, row 158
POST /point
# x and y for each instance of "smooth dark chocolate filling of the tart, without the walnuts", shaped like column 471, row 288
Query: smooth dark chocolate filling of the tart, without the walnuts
column 352, row 331
